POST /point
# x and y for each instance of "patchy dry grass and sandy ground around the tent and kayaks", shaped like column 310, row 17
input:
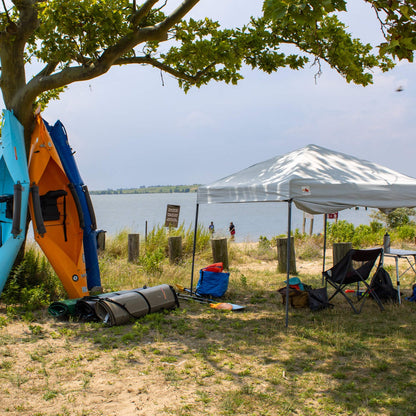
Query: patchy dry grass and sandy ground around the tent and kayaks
column 200, row 361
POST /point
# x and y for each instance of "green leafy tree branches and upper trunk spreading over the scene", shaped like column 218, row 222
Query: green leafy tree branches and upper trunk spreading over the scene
column 78, row 40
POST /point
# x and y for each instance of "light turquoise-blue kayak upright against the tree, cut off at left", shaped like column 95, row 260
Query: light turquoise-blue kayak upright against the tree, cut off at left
column 14, row 193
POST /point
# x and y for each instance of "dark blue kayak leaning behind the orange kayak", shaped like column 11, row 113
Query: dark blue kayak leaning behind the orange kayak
column 89, row 226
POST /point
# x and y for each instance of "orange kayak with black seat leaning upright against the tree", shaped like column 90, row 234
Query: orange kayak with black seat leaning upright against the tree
column 55, row 212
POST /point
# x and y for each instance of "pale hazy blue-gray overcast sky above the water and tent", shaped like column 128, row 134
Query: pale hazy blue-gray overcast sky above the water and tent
column 129, row 129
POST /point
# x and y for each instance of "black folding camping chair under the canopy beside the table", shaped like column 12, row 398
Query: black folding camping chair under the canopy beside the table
column 354, row 267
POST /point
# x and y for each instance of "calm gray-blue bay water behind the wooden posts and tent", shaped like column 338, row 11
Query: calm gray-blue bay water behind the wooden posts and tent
column 117, row 212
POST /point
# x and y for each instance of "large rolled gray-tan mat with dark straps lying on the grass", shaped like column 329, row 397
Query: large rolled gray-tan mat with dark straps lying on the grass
column 135, row 304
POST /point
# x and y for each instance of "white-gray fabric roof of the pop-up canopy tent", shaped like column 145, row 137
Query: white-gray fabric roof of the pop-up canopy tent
column 318, row 180
